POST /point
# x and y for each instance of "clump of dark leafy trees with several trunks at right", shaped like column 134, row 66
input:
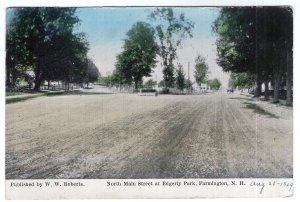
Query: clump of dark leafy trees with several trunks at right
column 257, row 41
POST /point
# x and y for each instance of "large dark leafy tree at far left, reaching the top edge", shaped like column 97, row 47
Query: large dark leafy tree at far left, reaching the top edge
column 49, row 45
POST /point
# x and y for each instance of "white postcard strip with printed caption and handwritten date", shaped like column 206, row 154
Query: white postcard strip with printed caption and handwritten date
column 148, row 188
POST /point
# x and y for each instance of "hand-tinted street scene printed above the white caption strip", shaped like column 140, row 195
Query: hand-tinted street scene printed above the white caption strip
column 149, row 92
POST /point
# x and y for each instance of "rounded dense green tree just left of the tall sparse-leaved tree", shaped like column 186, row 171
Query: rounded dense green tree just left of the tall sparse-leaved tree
column 138, row 57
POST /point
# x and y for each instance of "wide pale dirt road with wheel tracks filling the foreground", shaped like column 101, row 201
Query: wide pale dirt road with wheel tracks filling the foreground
column 130, row 136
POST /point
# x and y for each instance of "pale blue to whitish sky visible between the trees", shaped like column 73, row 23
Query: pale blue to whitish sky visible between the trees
column 106, row 28
